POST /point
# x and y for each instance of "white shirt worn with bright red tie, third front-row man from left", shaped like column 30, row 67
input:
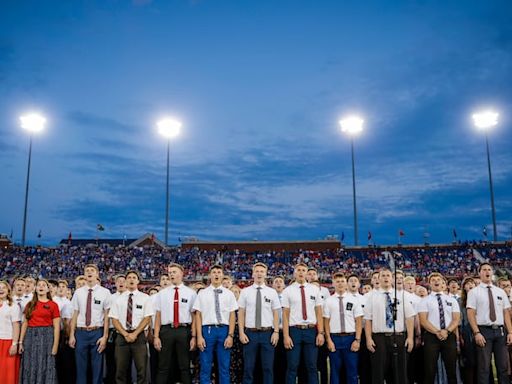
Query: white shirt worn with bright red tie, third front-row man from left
column 164, row 303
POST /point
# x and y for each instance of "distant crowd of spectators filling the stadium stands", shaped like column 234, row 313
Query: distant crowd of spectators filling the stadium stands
column 67, row 262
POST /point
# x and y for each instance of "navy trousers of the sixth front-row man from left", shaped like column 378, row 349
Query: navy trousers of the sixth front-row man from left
column 303, row 340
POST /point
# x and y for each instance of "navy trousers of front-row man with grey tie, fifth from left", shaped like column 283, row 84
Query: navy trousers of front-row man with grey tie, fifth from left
column 259, row 342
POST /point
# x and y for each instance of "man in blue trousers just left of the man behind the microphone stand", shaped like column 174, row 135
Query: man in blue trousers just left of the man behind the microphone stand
column 343, row 323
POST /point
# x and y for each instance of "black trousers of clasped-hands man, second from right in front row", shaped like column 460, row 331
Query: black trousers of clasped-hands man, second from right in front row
column 431, row 350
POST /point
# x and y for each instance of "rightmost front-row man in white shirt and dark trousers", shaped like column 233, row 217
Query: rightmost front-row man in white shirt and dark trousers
column 489, row 317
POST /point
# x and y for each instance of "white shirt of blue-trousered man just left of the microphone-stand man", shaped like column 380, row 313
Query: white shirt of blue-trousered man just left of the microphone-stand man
column 351, row 309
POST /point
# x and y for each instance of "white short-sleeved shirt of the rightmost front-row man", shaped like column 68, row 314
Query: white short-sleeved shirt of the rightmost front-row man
column 478, row 299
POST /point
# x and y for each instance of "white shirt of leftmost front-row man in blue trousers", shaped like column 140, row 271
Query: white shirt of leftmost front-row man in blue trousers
column 101, row 301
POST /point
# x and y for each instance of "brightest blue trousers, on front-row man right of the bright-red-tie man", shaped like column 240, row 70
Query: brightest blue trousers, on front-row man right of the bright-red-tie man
column 214, row 337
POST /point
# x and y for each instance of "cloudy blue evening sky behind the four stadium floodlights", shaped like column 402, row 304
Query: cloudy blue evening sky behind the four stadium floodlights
column 259, row 87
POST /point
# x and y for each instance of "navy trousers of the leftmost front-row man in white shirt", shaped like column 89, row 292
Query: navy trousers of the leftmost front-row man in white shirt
column 85, row 345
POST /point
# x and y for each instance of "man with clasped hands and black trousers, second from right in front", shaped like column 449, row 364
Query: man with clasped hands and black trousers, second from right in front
column 439, row 316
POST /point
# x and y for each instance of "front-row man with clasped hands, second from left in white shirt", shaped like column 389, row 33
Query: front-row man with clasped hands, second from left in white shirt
column 131, row 314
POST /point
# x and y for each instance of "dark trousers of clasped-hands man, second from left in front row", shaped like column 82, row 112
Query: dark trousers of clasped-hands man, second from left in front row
column 126, row 353
